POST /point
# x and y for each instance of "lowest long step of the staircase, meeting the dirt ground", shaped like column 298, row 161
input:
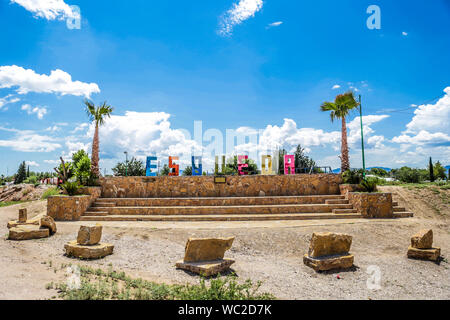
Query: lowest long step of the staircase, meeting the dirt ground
column 243, row 217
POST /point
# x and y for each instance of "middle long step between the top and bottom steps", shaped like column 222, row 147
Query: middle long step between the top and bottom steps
column 217, row 210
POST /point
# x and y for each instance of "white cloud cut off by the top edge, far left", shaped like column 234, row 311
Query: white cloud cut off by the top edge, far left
column 48, row 9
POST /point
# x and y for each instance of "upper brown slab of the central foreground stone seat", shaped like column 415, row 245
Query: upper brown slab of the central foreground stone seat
column 206, row 249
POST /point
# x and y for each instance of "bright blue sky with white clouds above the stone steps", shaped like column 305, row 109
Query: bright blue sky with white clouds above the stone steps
column 245, row 65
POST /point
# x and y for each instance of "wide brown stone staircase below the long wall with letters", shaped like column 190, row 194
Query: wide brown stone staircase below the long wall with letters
column 221, row 208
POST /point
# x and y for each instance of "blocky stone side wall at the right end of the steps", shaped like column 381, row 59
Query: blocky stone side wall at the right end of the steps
column 372, row 205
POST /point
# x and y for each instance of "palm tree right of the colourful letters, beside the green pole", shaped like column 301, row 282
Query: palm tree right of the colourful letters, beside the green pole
column 339, row 109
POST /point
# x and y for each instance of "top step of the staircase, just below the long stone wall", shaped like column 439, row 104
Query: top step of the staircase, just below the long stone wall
column 217, row 201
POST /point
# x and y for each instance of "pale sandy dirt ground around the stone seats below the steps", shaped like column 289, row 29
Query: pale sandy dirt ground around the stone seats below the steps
column 268, row 251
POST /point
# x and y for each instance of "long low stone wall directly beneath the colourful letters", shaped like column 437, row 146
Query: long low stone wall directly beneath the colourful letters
column 235, row 186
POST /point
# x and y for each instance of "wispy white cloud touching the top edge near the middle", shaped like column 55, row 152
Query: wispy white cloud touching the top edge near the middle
column 240, row 12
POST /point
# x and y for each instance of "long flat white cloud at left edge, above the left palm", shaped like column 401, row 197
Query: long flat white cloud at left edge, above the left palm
column 58, row 82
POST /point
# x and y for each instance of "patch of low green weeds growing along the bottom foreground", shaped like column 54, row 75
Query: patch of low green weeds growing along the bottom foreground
column 97, row 284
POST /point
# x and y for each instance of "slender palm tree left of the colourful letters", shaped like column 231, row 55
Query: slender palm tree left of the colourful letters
column 97, row 115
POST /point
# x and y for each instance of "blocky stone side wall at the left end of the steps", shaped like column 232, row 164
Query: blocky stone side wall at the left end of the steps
column 67, row 208
